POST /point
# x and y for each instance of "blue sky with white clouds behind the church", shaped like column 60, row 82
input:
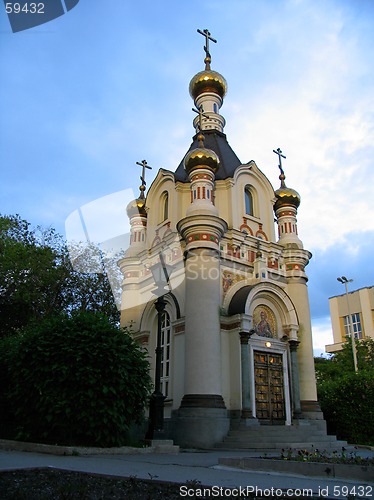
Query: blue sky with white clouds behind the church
column 87, row 95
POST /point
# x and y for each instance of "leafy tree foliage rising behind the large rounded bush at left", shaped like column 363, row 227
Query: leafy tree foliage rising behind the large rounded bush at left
column 37, row 278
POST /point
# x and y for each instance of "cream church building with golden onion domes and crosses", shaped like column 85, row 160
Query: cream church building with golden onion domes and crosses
column 235, row 333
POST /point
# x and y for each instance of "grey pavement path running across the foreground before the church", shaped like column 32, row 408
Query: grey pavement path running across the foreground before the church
column 195, row 466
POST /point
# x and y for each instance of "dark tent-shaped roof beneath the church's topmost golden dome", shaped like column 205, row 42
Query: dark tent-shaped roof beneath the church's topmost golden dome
column 216, row 141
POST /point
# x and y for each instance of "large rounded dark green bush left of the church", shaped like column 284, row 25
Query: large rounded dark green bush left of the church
column 77, row 381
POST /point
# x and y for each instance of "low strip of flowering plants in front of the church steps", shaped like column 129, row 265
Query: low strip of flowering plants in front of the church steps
column 326, row 457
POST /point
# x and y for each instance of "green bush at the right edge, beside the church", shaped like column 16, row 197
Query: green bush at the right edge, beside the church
column 347, row 405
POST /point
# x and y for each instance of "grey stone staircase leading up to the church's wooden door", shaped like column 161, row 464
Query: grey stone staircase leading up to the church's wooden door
column 305, row 435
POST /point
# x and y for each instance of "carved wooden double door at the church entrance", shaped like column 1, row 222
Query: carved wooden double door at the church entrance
column 269, row 387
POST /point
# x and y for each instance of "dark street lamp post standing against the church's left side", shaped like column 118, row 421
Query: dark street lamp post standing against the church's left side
column 161, row 275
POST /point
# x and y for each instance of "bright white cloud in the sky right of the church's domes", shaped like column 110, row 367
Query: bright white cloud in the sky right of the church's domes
column 321, row 117
